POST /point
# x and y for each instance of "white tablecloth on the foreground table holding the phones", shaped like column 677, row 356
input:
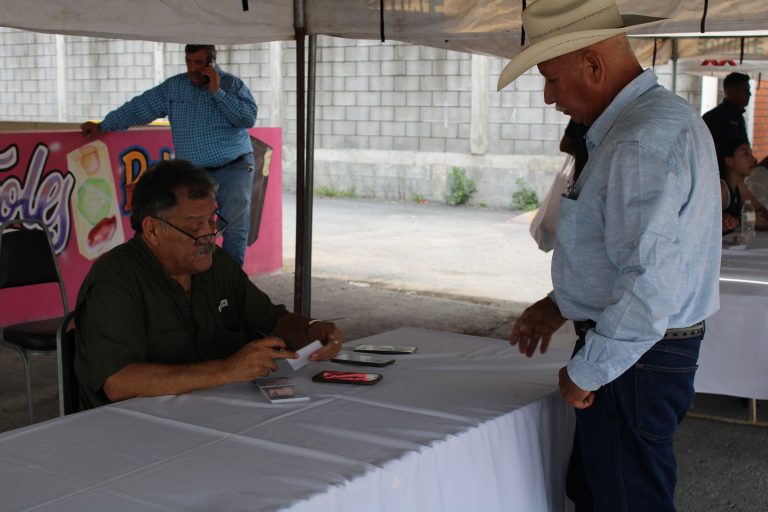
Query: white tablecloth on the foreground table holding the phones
column 466, row 423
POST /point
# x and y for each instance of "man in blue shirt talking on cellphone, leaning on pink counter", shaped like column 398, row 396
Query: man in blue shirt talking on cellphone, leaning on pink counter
column 210, row 112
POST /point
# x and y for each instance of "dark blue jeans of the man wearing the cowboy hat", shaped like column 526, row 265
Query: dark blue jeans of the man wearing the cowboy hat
column 623, row 458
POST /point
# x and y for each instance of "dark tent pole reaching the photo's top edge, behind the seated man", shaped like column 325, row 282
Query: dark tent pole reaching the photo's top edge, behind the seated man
column 302, row 275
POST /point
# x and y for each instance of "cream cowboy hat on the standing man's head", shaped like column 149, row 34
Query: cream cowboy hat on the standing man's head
column 557, row 27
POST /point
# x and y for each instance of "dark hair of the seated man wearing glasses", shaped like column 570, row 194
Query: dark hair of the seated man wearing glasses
column 157, row 189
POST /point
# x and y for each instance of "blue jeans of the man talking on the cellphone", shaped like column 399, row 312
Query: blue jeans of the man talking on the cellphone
column 234, row 198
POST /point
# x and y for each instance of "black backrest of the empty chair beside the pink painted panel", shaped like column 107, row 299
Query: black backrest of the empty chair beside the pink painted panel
column 26, row 256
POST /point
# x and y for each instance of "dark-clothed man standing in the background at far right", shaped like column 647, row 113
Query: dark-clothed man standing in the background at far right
column 727, row 119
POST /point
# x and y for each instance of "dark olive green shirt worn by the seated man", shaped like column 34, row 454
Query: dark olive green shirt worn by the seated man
column 130, row 310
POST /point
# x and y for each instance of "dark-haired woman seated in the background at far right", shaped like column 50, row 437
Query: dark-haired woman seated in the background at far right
column 735, row 159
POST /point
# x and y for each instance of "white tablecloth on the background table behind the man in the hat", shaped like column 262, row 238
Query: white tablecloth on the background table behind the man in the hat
column 734, row 354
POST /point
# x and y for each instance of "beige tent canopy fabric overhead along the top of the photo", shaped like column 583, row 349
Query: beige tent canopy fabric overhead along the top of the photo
column 490, row 27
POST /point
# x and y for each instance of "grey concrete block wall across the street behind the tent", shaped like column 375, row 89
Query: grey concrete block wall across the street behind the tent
column 390, row 117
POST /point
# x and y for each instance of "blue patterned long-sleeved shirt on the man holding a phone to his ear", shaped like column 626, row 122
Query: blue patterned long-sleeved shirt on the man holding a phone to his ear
column 208, row 130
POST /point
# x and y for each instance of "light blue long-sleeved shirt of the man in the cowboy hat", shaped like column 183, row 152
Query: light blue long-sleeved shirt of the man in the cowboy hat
column 639, row 234
